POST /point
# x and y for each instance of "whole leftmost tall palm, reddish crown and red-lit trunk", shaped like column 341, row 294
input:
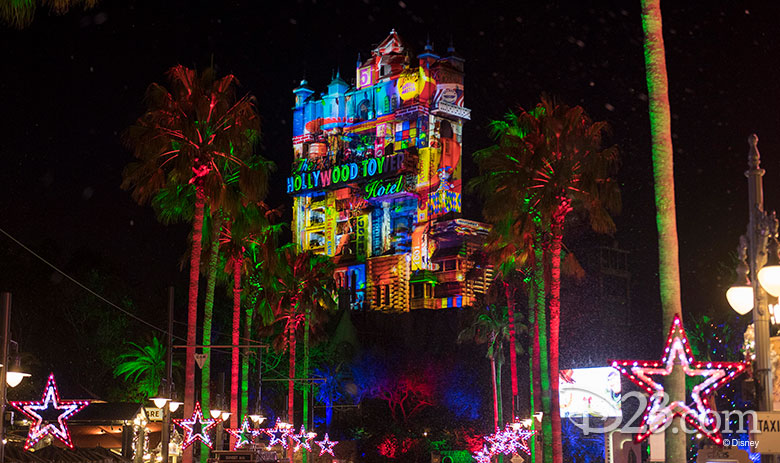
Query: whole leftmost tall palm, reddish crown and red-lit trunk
column 192, row 137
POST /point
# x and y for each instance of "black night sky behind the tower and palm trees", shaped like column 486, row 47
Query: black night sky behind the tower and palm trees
column 71, row 84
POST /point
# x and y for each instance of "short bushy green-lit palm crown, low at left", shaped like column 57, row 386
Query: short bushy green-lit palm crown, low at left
column 144, row 365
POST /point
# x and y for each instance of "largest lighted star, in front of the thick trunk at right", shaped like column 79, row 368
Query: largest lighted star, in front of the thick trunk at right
column 697, row 413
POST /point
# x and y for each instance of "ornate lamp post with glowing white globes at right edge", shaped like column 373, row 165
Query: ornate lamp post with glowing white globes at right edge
column 750, row 293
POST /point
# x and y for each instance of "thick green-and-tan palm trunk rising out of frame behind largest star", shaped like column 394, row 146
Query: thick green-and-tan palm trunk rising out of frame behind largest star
column 663, row 176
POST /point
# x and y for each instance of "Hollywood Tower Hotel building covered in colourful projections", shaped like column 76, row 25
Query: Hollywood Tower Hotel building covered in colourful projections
column 376, row 182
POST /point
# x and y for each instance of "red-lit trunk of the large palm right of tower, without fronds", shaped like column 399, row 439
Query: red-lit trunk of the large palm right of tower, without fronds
column 555, row 321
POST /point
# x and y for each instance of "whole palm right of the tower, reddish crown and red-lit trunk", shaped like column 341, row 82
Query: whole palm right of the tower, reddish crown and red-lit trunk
column 546, row 162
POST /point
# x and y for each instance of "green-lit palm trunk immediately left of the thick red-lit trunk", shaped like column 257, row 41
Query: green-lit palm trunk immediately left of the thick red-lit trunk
column 544, row 365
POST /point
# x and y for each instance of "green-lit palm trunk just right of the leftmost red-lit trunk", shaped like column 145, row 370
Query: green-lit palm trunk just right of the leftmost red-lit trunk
column 208, row 310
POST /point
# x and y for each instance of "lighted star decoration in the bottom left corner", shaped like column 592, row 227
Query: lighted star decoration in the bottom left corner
column 50, row 415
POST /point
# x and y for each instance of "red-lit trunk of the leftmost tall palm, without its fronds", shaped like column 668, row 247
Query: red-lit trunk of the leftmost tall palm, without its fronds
column 192, row 310
